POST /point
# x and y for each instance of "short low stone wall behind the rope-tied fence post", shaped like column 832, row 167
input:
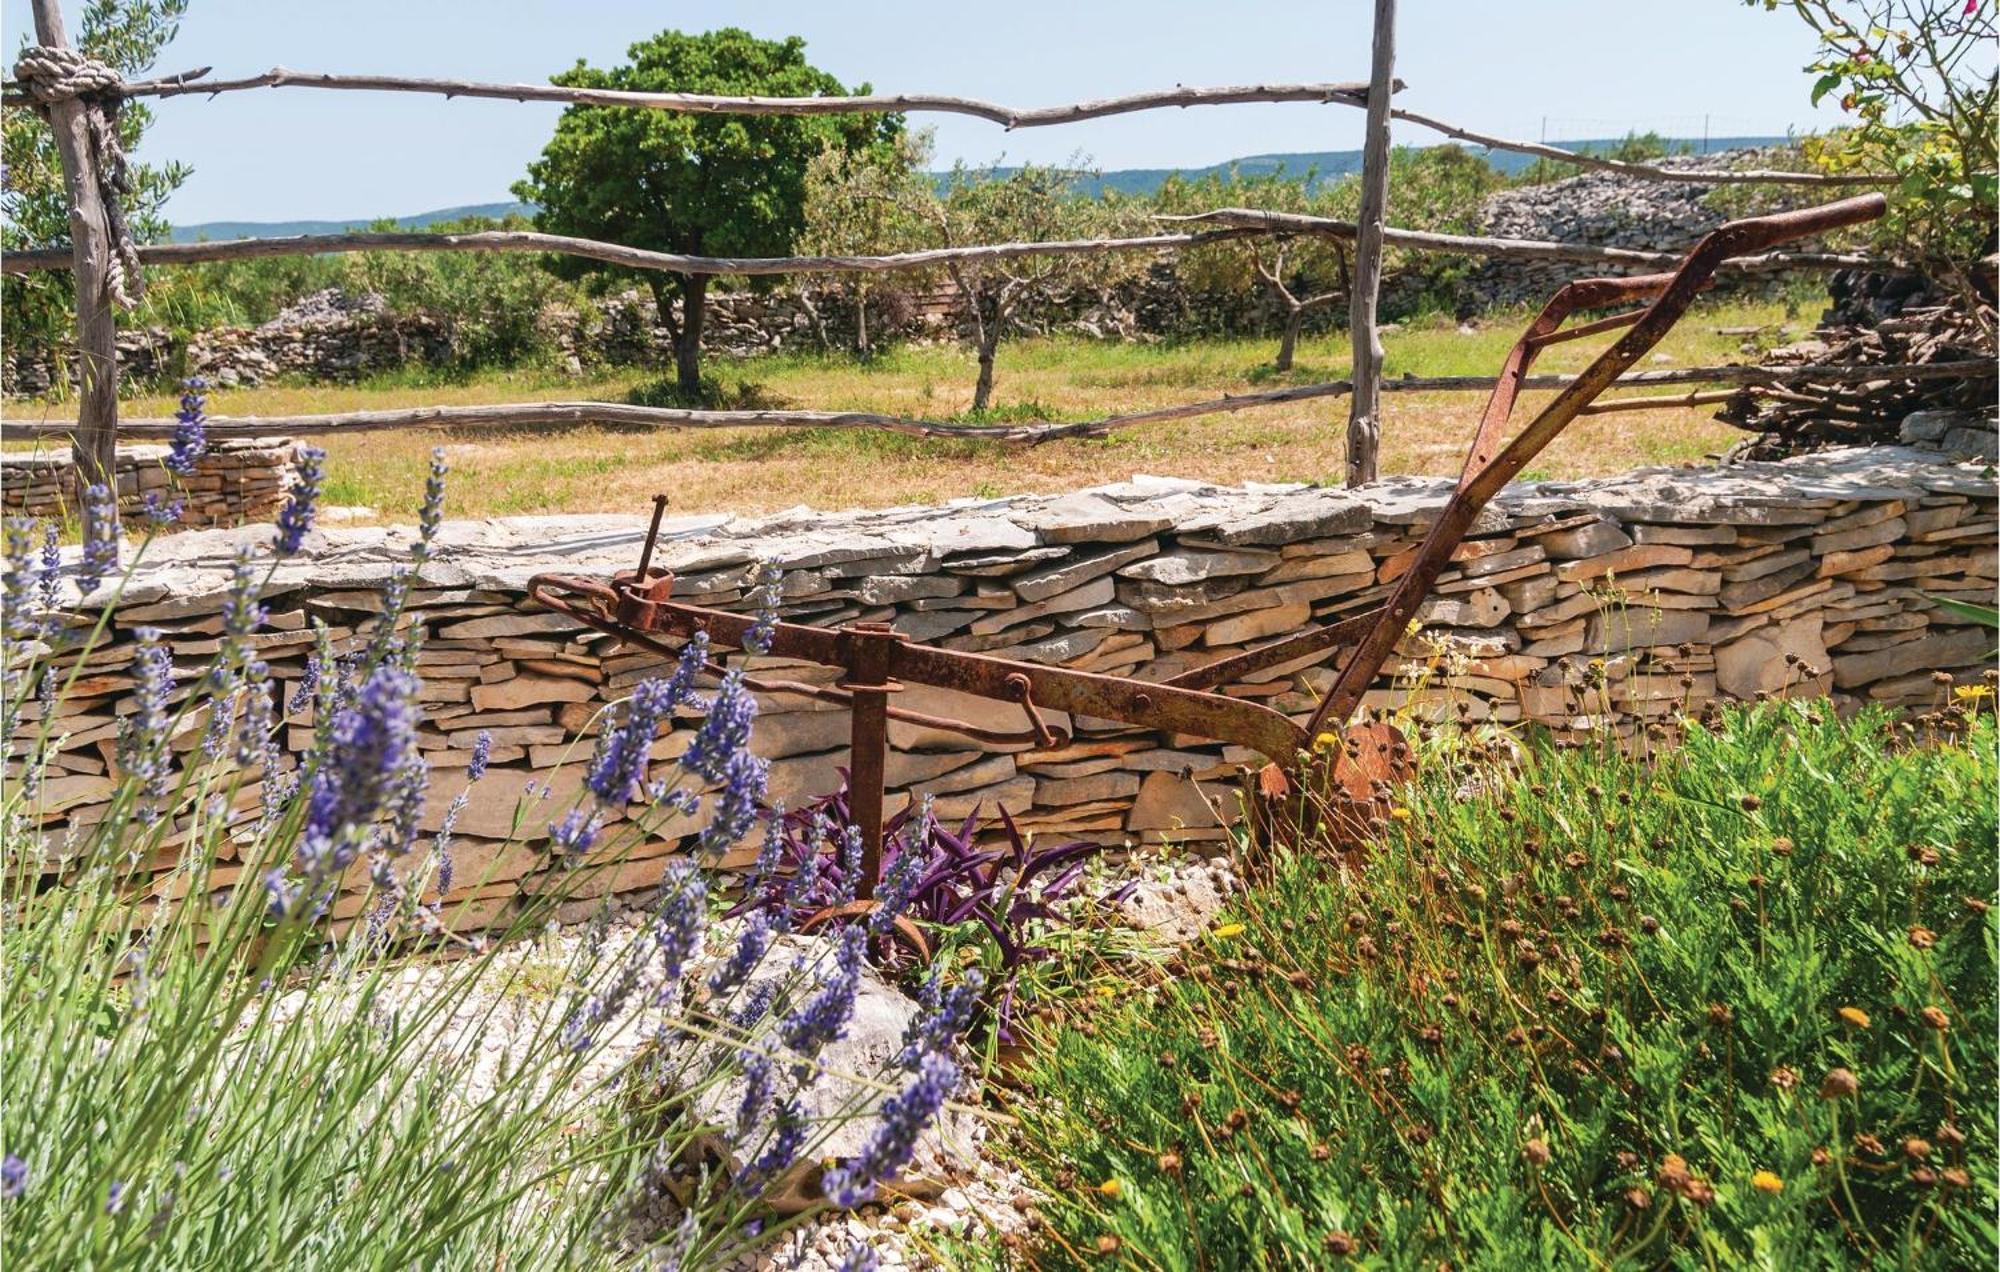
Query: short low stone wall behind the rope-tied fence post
column 239, row 481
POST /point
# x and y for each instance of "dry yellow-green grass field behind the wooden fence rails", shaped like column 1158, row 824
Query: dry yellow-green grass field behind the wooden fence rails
column 765, row 469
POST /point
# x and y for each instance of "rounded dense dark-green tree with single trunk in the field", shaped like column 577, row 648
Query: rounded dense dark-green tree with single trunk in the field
column 715, row 185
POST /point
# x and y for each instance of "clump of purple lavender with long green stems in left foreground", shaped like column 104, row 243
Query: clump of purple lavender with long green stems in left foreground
column 225, row 1025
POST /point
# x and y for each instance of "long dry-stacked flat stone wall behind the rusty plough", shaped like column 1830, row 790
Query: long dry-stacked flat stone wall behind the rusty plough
column 1593, row 607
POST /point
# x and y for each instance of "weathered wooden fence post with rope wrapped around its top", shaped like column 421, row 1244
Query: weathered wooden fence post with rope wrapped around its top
column 91, row 243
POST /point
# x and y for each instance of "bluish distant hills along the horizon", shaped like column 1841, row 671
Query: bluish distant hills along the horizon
column 1325, row 165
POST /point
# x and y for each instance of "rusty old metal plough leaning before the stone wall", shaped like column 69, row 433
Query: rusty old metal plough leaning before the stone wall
column 1347, row 773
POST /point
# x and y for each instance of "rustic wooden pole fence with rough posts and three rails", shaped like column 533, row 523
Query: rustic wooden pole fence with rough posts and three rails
column 69, row 91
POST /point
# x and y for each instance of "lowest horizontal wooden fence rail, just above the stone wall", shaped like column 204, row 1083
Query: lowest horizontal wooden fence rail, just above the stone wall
column 535, row 415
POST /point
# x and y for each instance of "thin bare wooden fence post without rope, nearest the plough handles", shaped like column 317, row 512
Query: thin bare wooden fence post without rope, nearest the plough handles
column 1365, row 411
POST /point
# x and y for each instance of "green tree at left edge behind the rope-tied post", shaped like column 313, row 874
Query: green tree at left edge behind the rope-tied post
column 35, row 207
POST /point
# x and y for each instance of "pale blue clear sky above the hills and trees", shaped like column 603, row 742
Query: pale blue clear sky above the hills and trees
column 1523, row 69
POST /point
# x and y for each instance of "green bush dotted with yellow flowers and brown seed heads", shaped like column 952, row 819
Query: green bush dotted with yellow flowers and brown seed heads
column 1729, row 1009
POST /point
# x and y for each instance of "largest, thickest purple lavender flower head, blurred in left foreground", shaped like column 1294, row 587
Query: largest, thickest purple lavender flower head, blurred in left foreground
column 365, row 767
